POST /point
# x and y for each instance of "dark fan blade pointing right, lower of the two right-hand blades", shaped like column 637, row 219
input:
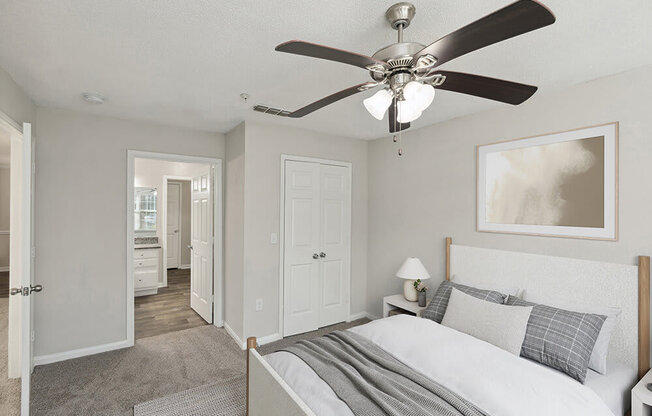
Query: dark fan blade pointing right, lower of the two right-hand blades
column 490, row 88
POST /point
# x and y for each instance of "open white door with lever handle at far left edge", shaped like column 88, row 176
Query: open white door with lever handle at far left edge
column 20, row 309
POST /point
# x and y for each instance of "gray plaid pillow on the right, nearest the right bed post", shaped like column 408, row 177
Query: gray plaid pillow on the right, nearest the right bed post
column 559, row 338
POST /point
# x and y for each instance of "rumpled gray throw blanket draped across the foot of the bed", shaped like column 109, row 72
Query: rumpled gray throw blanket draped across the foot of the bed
column 372, row 382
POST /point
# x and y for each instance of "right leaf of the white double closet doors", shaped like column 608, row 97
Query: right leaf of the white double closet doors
column 335, row 226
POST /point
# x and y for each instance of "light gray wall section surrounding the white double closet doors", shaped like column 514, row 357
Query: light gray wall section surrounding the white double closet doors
column 264, row 146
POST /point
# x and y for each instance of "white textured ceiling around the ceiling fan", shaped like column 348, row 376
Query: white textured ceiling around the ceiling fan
column 185, row 62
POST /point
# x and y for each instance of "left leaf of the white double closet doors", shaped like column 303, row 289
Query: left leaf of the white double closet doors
column 301, row 259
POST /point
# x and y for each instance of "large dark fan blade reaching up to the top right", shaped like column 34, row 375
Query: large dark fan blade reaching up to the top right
column 516, row 19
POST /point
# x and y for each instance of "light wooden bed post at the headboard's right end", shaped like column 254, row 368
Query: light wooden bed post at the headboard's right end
column 643, row 315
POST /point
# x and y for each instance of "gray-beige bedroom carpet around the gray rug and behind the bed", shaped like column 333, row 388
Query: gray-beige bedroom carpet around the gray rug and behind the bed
column 113, row 383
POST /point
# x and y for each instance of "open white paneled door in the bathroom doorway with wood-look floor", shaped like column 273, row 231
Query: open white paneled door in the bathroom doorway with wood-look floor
column 201, row 245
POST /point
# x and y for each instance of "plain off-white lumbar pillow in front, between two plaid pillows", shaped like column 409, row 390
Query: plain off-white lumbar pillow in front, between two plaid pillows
column 501, row 325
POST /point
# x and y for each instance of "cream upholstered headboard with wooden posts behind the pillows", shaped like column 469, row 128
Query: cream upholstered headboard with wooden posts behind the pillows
column 559, row 281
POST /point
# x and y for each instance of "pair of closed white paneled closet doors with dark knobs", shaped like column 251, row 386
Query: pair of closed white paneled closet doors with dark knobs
column 316, row 263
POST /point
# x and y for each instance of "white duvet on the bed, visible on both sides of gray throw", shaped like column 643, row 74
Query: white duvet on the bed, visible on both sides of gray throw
column 494, row 380
